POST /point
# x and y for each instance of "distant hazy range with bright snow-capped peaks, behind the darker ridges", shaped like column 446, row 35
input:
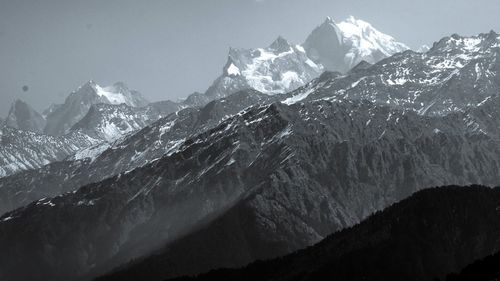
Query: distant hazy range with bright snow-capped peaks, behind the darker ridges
column 279, row 68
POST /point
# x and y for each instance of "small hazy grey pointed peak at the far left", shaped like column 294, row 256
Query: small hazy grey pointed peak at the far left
column 22, row 116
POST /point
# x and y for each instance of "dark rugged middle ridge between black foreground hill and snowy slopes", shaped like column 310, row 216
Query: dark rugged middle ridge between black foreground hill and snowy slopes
column 294, row 173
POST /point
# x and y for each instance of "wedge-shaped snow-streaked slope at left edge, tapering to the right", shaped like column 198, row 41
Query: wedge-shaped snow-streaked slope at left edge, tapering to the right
column 23, row 150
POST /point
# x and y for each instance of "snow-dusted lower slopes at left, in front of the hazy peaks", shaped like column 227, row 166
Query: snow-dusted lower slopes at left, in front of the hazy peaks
column 103, row 124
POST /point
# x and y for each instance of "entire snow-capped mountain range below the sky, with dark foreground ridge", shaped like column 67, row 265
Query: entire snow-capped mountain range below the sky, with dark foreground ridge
column 290, row 144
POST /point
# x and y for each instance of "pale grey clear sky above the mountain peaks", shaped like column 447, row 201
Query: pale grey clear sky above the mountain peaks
column 167, row 49
